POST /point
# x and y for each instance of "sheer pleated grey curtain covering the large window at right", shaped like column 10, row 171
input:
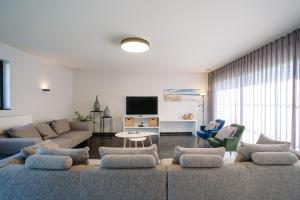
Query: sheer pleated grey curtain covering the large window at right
column 262, row 91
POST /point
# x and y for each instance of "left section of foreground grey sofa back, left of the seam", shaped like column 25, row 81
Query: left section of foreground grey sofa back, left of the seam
column 80, row 182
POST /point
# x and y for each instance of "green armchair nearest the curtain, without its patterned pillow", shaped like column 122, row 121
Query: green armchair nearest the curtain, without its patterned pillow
column 231, row 143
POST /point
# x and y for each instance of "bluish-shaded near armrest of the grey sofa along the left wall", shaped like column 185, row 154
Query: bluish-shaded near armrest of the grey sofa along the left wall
column 12, row 146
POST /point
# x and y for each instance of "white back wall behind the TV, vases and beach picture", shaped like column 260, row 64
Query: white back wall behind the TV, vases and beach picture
column 113, row 86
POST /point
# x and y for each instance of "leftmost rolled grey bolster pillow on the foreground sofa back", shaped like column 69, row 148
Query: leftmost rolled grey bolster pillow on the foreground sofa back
column 48, row 162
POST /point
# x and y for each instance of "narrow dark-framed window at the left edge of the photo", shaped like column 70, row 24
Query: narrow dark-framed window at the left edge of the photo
column 4, row 85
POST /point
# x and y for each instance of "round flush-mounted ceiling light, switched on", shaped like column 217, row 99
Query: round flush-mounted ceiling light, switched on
column 135, row 45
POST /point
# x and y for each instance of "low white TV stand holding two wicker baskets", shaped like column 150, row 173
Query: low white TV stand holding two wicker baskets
column 141, row 123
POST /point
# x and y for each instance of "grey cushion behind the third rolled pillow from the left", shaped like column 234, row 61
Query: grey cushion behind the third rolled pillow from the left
column 179, row 151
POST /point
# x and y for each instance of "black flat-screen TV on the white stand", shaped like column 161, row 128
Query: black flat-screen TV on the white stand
column 141, row 105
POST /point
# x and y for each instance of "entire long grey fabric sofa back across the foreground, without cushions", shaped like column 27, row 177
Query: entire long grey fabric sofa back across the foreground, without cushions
column 234, row 181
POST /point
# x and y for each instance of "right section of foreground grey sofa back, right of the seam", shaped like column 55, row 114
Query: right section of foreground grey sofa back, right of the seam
column 238, row 181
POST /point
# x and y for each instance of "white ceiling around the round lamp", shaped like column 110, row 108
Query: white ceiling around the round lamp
column 184, row 35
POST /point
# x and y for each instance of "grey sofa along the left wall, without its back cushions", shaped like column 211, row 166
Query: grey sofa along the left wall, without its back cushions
column 79, row 133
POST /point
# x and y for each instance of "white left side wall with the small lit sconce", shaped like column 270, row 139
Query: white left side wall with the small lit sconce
column 27, row 75
